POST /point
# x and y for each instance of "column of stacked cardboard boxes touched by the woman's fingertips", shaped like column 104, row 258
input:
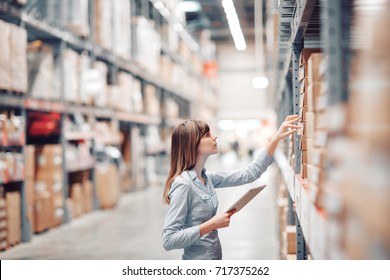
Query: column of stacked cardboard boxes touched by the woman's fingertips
column 313, row 104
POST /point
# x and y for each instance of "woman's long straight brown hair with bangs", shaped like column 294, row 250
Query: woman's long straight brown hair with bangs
column 185, row 141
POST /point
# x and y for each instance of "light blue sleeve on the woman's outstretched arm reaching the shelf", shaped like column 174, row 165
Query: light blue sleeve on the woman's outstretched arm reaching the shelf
column 244, row 175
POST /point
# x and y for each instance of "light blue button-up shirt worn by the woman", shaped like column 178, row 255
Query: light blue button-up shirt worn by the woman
column 193, row 203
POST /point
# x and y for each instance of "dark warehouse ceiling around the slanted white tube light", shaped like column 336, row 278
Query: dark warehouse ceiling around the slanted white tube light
column 211, row 16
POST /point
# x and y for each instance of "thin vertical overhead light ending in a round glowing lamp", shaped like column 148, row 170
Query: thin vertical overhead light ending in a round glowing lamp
column 260, row 81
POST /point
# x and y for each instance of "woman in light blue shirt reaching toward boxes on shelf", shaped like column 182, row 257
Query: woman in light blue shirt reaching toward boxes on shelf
column 192, row 220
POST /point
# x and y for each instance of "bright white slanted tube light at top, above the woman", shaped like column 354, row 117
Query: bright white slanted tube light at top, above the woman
column 234, row 25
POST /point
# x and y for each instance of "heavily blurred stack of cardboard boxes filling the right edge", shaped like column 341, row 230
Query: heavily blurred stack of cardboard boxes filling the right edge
column 367, row 160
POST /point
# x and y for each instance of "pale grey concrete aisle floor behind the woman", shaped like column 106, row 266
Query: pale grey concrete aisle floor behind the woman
column 132, row 230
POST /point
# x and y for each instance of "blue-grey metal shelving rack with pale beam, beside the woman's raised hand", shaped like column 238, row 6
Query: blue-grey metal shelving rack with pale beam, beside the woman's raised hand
column 309, row 24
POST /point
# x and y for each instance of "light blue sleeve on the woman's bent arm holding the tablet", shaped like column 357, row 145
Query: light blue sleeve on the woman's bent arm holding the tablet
column 174, row 235
